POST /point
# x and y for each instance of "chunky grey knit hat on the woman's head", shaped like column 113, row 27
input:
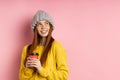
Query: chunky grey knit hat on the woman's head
column 41, row 15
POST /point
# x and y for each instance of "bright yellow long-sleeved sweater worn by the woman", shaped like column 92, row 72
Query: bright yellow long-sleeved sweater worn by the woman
column 56, row 67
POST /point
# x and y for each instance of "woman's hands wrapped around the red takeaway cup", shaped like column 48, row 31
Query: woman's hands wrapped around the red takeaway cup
column 33, row 62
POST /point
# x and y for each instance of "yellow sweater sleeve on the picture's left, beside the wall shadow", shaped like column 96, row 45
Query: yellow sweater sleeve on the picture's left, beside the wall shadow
column 24, row 73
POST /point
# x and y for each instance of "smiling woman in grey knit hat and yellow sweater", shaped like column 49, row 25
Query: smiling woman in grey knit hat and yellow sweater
column 51, row 62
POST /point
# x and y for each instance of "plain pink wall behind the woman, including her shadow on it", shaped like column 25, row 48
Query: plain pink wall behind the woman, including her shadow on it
column 88, row 29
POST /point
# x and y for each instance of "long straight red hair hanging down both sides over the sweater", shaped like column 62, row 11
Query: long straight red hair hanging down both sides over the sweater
column 36, row 40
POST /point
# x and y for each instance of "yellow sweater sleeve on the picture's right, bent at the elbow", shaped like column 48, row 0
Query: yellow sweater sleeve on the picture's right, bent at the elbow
column 61, row 71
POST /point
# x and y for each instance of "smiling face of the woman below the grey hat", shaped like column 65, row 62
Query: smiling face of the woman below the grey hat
column 43, row 28
